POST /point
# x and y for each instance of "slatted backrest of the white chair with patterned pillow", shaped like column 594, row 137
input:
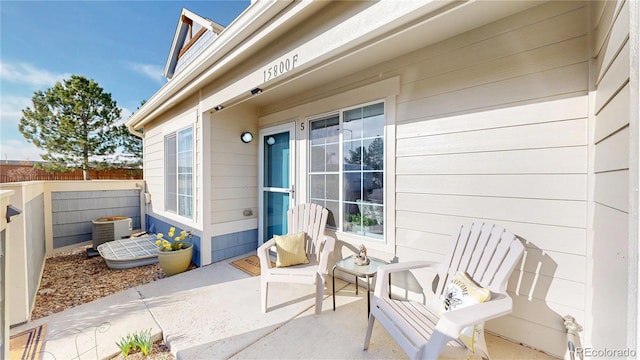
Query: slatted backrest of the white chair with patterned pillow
column 486, row 252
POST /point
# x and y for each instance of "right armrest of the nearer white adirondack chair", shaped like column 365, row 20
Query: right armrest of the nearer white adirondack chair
column 453, row 322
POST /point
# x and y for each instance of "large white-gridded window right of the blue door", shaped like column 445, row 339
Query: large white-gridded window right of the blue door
column 346, row 169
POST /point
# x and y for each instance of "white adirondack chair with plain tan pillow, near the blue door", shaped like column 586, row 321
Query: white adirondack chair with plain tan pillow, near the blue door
column 311, row 219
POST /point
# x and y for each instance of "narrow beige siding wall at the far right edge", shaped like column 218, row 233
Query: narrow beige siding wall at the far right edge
column 611, row 168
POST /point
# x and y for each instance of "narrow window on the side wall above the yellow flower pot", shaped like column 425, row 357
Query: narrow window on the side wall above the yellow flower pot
column 178, row 148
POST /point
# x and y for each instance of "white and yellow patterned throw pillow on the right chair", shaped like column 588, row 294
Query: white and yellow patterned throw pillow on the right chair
column 461, row 292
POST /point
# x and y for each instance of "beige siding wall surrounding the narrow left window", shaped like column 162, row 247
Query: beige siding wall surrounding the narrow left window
column 179, row 117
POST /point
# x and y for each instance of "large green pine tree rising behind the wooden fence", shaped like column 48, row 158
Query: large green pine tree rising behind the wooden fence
column 74, row 122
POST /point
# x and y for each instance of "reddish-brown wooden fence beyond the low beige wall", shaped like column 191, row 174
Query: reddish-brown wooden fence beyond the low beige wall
column 17, row 173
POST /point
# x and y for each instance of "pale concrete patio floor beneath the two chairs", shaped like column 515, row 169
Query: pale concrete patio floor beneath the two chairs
column 213, row 312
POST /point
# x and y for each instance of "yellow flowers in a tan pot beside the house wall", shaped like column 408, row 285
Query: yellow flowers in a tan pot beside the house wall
column 174, row 254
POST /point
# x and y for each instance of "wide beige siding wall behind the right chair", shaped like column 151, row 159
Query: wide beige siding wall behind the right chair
column 493, row 126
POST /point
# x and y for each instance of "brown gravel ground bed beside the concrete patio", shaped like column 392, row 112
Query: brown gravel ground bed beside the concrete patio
column 71, row 279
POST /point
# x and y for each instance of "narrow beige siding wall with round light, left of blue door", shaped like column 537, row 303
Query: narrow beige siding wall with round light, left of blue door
column 234, row 164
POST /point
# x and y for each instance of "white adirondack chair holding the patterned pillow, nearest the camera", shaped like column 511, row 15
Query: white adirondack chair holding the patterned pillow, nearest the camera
column 488, row 253
